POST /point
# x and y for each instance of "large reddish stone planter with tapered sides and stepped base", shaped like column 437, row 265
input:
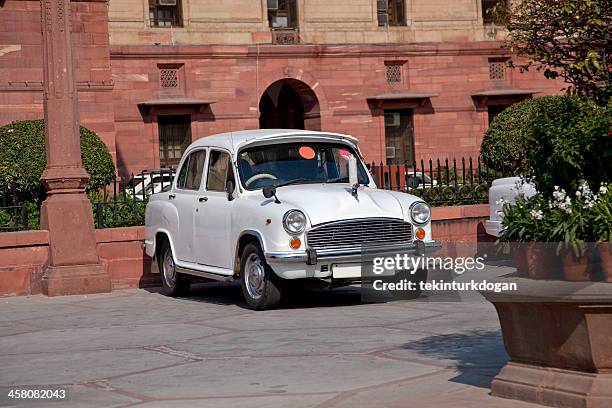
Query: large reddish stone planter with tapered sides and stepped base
column 558, row 336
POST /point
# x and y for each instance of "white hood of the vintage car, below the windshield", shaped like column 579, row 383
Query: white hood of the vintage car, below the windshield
column 333, row 202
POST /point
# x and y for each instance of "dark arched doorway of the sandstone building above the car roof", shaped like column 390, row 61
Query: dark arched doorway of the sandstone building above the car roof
column 289, row 104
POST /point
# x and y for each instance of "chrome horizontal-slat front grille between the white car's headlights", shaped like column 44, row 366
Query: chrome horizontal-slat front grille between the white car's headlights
column 357, row 233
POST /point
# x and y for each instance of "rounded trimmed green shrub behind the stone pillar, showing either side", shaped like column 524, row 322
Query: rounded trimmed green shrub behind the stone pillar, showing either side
column 23, row 159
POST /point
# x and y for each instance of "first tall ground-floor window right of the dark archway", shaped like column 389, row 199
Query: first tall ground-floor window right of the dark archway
column 399, row 137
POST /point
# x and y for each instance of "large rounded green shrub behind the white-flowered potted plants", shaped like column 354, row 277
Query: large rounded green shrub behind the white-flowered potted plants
column 556, row 139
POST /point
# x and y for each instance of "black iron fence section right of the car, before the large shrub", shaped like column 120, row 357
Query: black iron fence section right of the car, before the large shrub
column 445, row 182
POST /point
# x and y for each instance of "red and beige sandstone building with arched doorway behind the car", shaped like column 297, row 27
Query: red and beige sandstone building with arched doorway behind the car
column 412, row 79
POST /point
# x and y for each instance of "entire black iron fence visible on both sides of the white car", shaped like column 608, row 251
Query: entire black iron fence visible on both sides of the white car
column 440, row 182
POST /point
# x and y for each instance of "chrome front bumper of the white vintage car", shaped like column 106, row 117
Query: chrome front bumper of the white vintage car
column 352, row 255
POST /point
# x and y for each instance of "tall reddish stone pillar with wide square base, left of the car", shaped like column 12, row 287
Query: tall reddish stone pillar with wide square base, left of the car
column 74, row 266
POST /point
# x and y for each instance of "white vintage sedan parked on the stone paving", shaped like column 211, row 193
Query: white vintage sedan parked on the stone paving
column 271, row 207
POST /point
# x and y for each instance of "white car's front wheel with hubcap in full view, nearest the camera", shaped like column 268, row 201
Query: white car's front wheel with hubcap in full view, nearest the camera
column 260, row 286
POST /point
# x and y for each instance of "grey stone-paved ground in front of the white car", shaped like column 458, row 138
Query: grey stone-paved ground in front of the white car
column 324, row 349
